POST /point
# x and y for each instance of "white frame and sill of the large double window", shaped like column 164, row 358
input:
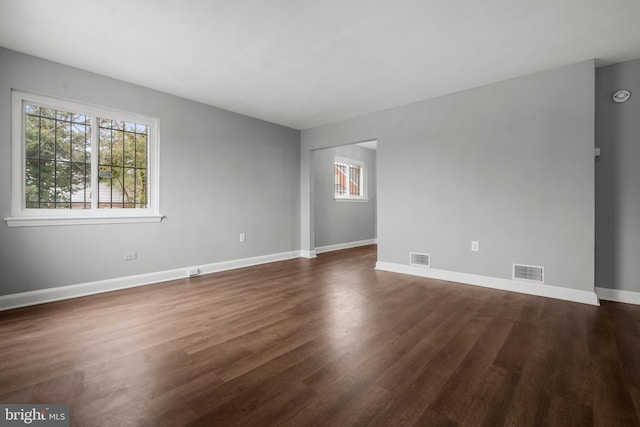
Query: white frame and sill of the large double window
column 22, row 216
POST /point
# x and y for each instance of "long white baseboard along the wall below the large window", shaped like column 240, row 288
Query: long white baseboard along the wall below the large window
column 41, row 296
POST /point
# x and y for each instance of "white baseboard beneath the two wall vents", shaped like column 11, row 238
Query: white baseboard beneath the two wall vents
column 585, row 297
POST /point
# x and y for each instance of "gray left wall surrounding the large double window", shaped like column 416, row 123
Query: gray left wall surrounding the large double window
column 221, row 174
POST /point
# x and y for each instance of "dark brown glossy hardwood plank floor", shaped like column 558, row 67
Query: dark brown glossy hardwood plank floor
column 330, row 342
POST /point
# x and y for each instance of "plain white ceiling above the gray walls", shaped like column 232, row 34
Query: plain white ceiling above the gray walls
column 302, row 63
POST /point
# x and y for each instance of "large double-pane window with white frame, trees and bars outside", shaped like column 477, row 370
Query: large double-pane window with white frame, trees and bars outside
column 75, row 163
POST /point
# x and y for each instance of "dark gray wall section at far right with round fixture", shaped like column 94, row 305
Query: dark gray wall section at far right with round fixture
column 618, row 178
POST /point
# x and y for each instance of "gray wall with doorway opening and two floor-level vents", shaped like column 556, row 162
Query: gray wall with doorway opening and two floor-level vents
column 509, row 164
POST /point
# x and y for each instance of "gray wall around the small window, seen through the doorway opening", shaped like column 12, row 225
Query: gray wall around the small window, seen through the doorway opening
column 343, row 221
